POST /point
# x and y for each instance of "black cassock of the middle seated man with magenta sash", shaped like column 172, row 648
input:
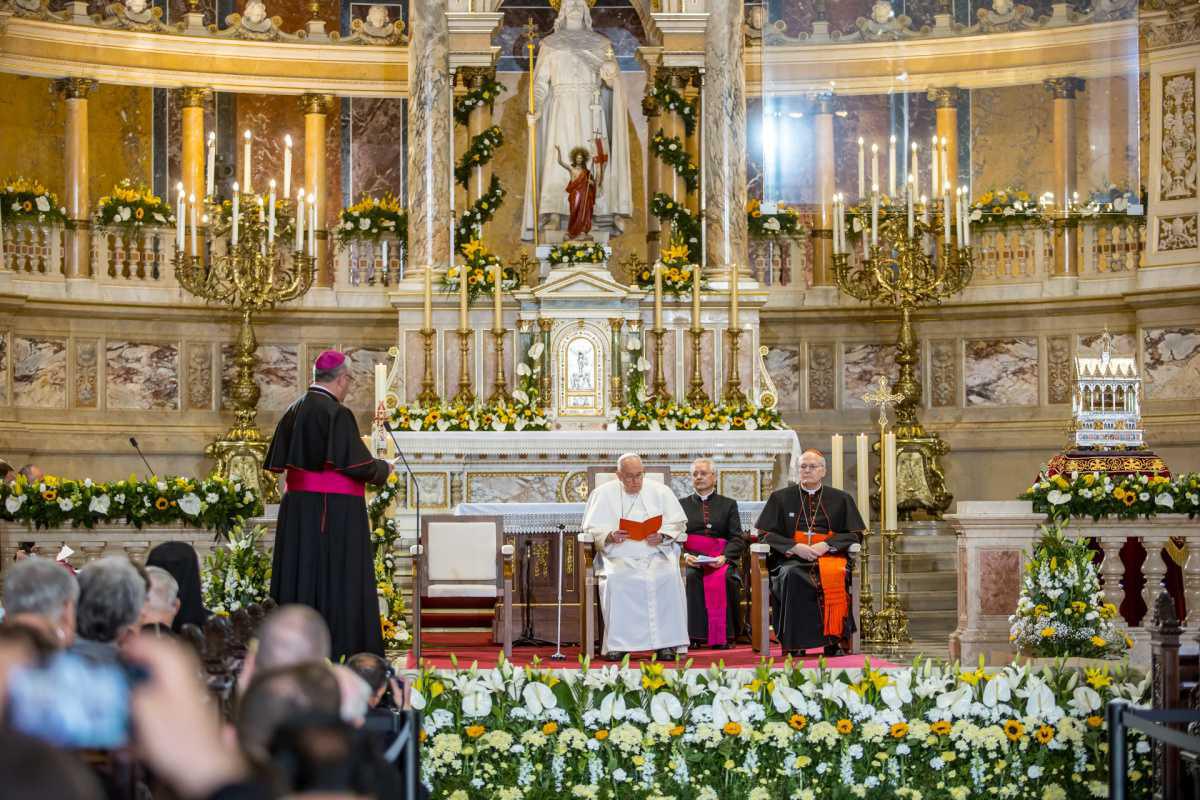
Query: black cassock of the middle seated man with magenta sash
column 724, row 522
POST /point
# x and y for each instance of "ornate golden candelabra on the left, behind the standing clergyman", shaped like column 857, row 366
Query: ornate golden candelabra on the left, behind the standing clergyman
column 250, row 276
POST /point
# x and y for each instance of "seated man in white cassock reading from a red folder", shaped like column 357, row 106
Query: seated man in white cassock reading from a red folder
column 643, row 593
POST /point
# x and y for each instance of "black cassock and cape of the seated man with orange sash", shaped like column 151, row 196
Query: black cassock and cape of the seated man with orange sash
column 797, row 607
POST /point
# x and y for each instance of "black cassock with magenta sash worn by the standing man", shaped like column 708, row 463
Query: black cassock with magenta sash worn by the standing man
column 323, row 552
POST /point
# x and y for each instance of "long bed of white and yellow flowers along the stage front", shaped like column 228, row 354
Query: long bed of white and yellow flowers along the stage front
column 931, row 731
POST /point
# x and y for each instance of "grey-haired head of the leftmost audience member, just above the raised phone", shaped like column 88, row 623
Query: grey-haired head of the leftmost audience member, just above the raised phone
column 40, row 594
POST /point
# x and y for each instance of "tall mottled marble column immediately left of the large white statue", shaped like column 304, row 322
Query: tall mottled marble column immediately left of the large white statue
column 429, row 136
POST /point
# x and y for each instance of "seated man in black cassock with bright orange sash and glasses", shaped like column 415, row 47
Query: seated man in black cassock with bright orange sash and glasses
column 811, row 530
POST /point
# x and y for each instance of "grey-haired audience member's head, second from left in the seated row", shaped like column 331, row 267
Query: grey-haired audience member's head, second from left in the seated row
column 111, row 598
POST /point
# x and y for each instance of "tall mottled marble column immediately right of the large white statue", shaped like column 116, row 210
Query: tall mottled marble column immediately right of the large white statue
column 725, row 141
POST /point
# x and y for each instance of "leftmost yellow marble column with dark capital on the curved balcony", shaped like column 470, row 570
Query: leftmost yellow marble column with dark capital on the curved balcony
column 79, row 203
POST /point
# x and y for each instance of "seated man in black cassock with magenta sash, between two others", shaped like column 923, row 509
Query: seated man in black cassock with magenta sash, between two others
column 715, row 531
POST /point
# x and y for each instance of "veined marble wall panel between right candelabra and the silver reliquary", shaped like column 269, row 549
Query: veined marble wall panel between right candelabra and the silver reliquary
column 1001, row 372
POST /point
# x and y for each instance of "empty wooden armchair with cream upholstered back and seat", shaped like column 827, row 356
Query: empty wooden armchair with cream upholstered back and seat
column 463, row 562
